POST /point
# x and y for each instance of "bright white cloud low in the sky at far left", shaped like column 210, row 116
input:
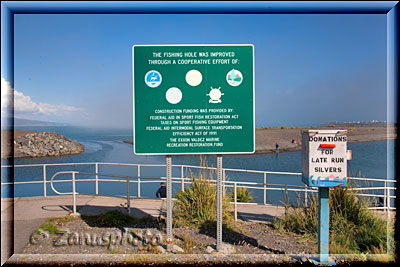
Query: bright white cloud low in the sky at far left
column 24, row 105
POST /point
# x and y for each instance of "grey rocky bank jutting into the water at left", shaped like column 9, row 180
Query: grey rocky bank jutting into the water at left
column 44, row 144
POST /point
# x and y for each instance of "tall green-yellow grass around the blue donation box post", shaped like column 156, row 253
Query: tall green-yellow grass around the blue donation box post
column 353, row 228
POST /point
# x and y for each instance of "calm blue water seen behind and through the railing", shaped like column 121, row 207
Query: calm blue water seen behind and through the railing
column 106, row 145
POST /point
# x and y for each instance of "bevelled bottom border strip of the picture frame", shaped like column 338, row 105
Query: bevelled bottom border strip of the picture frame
column 185, row 258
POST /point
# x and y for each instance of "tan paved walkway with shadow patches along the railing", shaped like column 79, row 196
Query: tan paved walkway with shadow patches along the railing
column 27, row 214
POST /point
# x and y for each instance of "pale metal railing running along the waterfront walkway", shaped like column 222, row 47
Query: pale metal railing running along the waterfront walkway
column 234, row 185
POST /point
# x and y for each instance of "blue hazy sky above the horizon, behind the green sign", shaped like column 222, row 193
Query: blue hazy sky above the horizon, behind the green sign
column 309, row 69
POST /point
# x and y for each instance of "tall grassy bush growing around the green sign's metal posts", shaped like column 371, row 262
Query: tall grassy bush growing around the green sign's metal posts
column 197, row 205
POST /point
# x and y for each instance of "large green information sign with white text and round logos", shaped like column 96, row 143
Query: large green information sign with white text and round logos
column 191, row 99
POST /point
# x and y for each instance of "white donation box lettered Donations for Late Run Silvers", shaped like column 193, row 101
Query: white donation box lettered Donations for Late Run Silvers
column 324, row 158
